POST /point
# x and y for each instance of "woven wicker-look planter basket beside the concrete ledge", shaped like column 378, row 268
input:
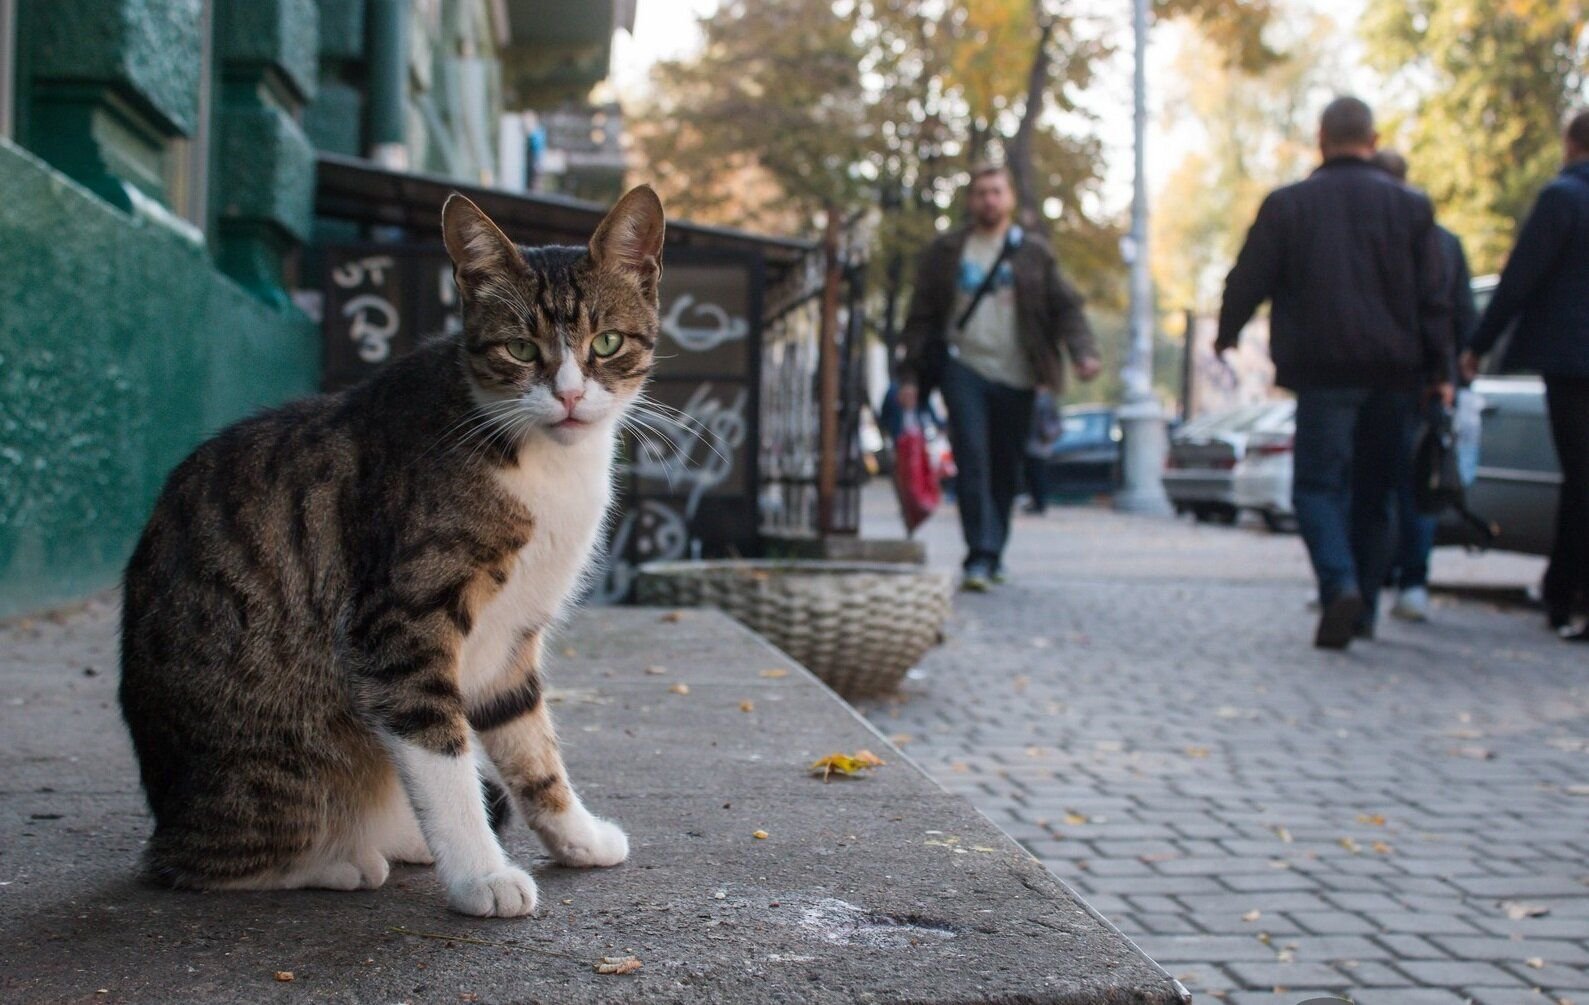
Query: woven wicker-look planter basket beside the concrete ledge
column 856, row 626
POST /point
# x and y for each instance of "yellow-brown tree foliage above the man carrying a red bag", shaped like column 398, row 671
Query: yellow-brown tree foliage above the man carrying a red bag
column 798, row 106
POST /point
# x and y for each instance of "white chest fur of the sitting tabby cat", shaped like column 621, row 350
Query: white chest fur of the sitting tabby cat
column 566, row 491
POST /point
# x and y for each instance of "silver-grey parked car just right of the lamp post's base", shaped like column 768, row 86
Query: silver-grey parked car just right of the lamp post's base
column 1200, row 471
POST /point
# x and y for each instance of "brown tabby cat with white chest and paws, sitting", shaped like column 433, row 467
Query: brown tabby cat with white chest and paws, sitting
column 333, row 623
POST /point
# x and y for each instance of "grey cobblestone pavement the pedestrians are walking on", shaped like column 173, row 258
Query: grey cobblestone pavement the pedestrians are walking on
column 1404, row 825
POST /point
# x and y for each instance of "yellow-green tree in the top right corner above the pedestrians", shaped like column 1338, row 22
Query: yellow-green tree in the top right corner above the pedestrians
column 1485, row 85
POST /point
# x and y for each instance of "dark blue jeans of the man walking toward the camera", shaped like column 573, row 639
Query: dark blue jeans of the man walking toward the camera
column 988, row 430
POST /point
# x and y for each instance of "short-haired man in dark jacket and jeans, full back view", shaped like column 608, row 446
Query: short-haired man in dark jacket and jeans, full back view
column 1359, row 327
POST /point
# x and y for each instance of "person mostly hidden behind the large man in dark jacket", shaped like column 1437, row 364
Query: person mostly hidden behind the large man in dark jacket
column 1417, row 530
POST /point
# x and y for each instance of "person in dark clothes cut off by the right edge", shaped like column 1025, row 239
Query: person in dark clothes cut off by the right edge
column 1545, row 290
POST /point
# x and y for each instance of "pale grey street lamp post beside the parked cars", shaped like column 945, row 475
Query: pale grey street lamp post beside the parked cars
column 1142, row 421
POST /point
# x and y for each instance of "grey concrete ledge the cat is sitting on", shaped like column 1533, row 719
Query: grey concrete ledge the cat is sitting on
column 884, row 890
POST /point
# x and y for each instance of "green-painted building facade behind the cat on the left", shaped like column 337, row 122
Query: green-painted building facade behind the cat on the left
column 158, row 165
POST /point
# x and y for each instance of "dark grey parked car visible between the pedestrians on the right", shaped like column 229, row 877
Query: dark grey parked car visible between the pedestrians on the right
column 1520, row 479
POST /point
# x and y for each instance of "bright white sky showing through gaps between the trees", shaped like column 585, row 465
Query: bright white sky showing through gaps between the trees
column 667, row 29
